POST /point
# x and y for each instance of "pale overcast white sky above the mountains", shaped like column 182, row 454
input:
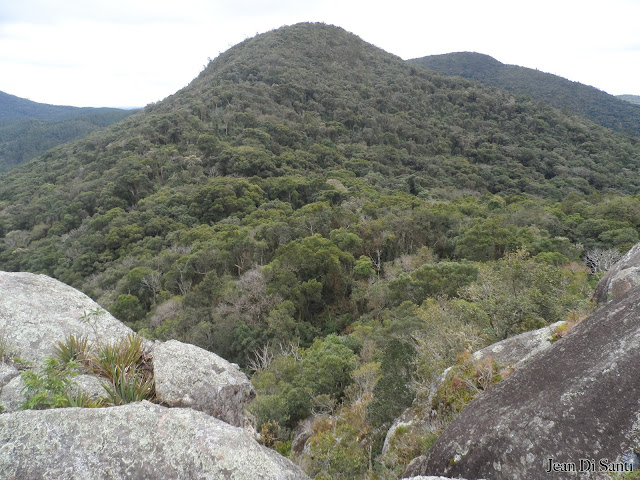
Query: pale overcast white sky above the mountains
column 127, row 53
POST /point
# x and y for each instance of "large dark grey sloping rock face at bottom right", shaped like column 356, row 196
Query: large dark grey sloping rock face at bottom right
column 579, row 398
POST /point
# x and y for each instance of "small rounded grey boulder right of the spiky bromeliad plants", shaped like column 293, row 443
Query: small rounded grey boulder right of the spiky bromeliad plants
column 188, row 376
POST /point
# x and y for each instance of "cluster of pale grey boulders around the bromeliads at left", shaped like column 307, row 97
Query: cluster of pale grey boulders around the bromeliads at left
column 141, row 440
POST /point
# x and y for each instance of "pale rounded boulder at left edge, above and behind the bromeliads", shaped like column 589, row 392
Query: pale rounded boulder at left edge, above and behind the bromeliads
column 37, row 312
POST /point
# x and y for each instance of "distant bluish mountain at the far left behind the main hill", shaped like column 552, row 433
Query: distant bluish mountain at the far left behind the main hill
column 28, row 129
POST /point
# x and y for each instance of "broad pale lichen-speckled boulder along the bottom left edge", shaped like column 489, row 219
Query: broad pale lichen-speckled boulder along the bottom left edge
column 139, row 440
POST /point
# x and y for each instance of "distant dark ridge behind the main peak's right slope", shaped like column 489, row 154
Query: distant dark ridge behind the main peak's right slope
column 589, row 102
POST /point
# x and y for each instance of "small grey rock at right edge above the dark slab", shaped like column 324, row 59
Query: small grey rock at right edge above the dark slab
column 619, row 279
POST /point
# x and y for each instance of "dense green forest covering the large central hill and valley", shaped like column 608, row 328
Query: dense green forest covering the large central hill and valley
column 341, row 223
